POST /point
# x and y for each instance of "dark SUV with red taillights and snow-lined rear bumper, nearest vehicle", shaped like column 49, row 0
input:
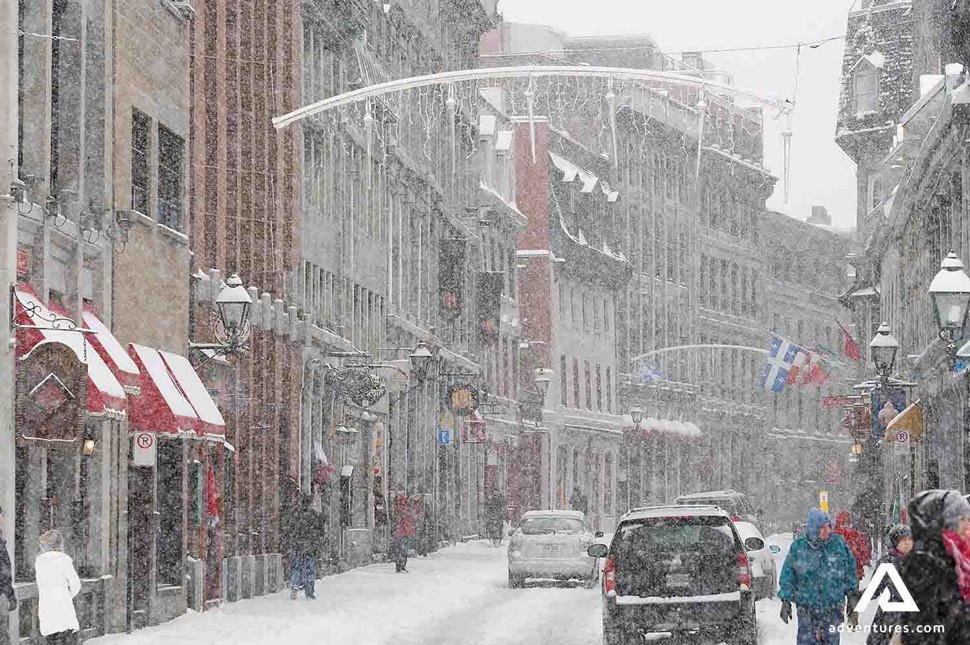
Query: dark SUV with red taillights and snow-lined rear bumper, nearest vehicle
column 678, row 572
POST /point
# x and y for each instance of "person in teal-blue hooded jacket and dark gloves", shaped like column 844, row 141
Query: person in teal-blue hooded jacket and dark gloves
column 818, row 576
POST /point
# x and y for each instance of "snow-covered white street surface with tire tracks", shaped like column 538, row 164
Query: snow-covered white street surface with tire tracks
column 458, row 596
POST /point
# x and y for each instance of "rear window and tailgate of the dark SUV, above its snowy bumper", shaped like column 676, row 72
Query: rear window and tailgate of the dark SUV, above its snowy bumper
column 676, row 556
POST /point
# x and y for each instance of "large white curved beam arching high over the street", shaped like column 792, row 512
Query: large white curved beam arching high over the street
column 527, row 71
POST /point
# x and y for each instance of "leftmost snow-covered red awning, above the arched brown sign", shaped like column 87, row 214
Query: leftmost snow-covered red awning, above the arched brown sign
column 105, row 394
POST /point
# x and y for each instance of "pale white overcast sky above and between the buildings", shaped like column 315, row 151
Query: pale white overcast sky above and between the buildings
column 821, row 173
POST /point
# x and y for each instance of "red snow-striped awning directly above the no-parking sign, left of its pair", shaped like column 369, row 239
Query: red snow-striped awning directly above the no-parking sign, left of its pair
column 161, row 407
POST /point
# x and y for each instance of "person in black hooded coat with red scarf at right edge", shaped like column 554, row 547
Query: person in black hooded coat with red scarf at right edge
column 937, row 571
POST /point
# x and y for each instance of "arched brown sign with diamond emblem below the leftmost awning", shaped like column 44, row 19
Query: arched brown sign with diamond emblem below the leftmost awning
column 52, row 388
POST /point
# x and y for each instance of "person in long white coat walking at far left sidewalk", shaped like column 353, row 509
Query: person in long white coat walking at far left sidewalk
column 57, row 584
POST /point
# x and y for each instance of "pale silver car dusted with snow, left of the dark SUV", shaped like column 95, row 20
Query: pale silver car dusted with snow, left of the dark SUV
column 552, row 544
